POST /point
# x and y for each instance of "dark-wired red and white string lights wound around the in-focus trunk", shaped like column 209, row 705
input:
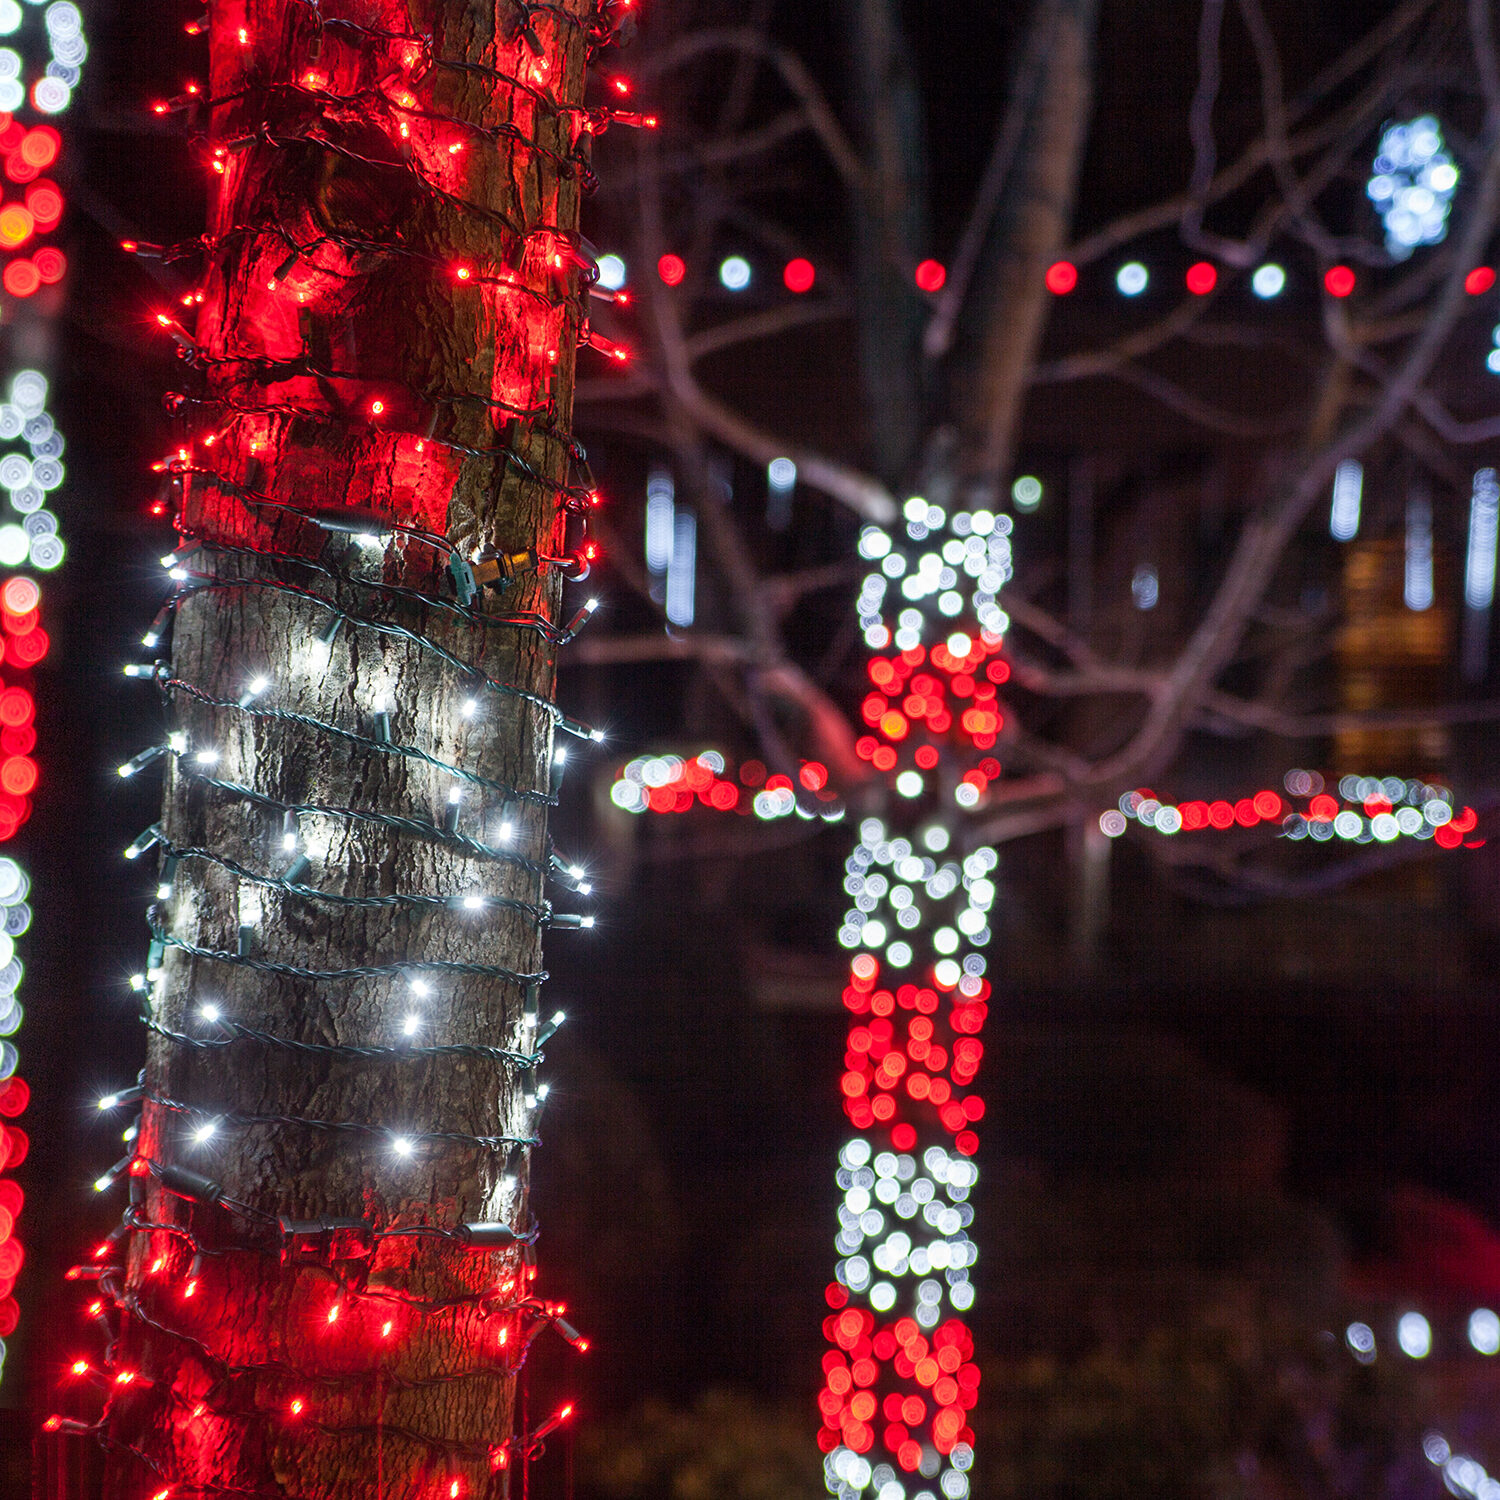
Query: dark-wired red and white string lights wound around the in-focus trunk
column 346, row 1249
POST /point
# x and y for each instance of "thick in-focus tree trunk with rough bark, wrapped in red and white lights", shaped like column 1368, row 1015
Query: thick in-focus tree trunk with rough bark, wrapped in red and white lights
column 343, row 955
